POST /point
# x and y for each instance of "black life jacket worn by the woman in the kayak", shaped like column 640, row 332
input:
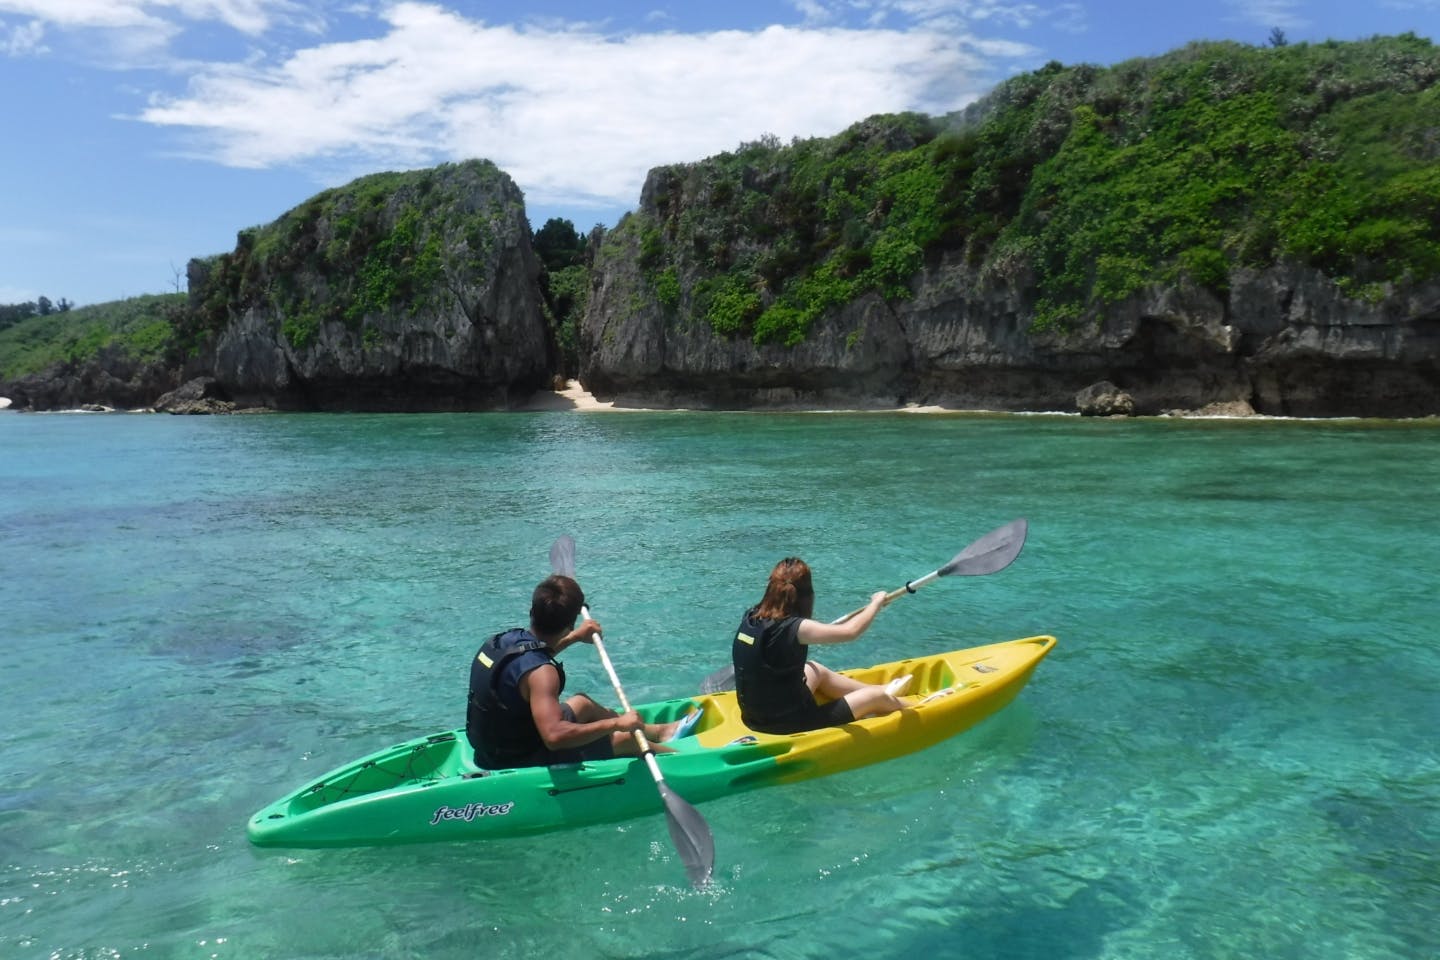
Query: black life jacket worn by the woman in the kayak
column 770, row 671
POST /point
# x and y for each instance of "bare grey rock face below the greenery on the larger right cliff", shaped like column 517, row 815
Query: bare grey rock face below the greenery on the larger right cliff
column 1287, row 340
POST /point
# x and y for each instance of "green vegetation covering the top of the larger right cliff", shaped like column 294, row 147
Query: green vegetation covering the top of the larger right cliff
column 1086, row 184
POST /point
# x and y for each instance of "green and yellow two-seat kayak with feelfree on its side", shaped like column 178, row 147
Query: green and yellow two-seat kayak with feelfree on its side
column 430, row 789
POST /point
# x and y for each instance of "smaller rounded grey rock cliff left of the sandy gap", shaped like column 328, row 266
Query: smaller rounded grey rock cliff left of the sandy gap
column 397, row 293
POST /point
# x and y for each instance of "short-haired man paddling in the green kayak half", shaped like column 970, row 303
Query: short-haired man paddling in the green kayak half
column 516, row 717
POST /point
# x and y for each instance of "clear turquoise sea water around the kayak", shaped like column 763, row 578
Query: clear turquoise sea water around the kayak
column 1232, row 752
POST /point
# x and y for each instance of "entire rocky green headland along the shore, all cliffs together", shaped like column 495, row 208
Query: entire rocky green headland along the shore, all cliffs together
column 1226, row 228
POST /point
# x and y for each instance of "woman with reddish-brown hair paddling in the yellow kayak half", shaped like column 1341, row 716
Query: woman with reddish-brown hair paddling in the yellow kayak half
column 775, row 680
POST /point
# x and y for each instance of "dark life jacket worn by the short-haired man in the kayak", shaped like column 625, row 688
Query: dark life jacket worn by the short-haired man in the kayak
column 498, row 717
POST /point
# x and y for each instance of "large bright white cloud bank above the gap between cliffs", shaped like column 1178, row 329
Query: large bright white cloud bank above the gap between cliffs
column 572, row 114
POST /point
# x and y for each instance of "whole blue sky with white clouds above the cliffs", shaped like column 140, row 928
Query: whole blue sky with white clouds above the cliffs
column 142, row 133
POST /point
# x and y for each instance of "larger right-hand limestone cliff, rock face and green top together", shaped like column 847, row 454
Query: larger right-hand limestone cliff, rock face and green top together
column 1220, row 225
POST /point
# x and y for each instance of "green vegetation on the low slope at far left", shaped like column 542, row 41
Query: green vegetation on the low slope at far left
column 138, row 330
